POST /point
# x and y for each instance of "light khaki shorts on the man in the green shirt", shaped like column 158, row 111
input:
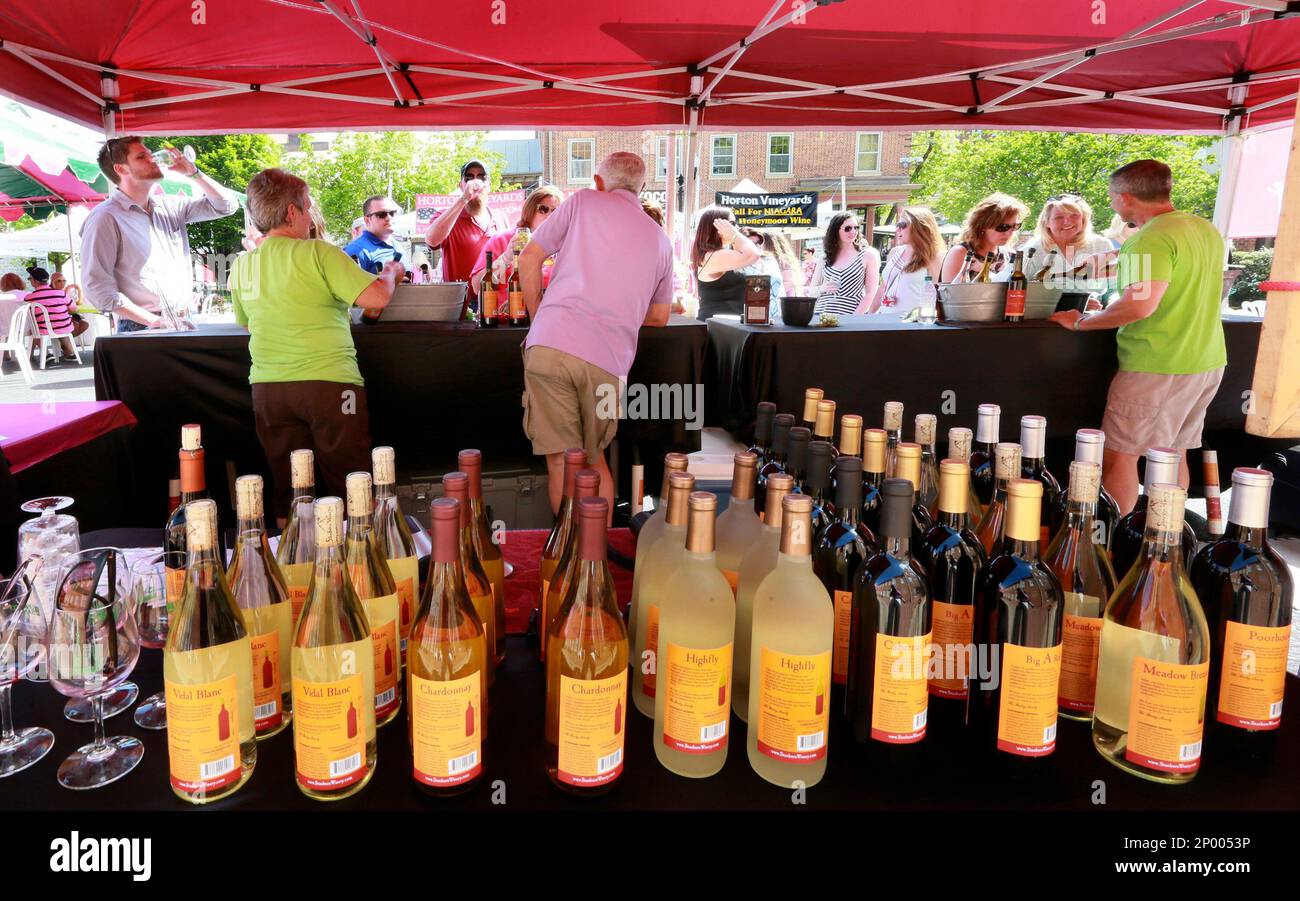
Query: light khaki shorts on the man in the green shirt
column 1155, row 410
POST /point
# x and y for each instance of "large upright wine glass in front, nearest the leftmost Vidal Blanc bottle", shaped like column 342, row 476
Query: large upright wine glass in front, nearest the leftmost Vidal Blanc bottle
column 92, row 647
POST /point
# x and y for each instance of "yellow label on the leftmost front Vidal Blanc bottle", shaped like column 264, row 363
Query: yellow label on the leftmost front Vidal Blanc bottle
column 203, row 734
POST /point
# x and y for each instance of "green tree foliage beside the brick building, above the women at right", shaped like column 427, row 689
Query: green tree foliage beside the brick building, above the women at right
column 959, row 168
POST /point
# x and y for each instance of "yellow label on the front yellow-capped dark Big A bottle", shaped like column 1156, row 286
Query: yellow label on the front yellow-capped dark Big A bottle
column 1028, row 709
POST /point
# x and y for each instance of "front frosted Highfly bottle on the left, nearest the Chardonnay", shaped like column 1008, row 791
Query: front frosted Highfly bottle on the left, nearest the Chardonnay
column 697, row 633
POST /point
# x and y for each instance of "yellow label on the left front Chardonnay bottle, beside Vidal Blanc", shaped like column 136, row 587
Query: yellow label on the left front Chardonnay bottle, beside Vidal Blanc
column 447, row 730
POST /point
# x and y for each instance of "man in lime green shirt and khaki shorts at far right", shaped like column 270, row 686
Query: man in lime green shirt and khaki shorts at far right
column 1171, row 343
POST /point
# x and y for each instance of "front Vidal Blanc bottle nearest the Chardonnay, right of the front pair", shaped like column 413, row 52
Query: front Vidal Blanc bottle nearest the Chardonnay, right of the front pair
column 333, row 666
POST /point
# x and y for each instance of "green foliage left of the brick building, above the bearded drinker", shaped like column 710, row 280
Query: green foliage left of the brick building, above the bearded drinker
column 366, row 163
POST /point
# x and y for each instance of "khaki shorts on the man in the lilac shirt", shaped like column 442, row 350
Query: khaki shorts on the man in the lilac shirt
column 569, row 404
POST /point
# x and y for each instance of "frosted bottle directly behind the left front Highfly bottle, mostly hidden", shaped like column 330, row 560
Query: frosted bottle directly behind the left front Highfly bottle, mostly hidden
column 661, row 564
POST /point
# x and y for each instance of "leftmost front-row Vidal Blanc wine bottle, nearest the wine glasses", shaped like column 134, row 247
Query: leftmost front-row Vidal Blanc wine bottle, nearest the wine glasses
column 207, row 675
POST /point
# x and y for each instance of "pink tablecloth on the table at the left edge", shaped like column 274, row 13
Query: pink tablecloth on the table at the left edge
column 36, row 432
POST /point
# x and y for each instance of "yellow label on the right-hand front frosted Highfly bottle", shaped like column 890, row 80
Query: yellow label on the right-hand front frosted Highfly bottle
column 794, row 705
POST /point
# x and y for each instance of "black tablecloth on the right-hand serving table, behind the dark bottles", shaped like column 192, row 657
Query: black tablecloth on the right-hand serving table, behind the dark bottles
column 950, row 370
